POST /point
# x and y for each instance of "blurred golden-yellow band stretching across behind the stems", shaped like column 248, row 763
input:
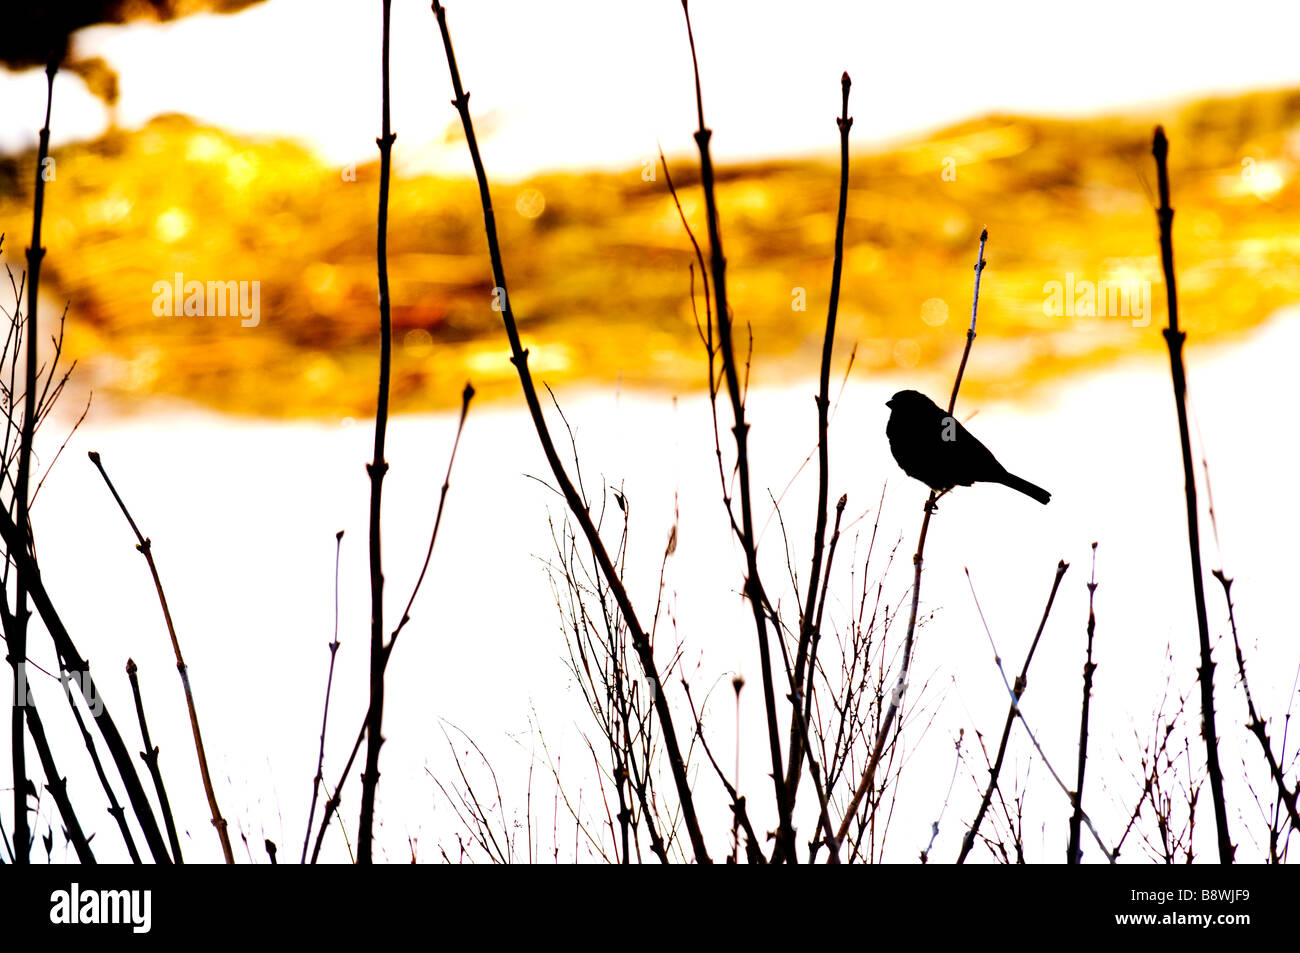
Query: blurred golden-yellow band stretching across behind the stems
column 600, row 265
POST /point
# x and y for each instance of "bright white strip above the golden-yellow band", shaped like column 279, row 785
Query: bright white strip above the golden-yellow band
column 584, row 84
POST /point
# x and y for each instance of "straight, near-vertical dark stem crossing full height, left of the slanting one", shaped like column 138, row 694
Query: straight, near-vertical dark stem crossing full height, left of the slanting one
column 378, row 469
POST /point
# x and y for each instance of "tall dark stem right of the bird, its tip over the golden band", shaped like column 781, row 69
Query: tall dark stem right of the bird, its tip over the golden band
column 1175, row 337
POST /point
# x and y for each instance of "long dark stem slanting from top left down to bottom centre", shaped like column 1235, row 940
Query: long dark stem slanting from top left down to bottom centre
column 519, row 358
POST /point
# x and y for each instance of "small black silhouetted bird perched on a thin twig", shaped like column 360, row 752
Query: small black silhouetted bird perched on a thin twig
column 934, row 448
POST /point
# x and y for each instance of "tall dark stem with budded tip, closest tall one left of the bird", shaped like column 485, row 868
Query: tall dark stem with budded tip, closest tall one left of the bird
column 809, row 622
